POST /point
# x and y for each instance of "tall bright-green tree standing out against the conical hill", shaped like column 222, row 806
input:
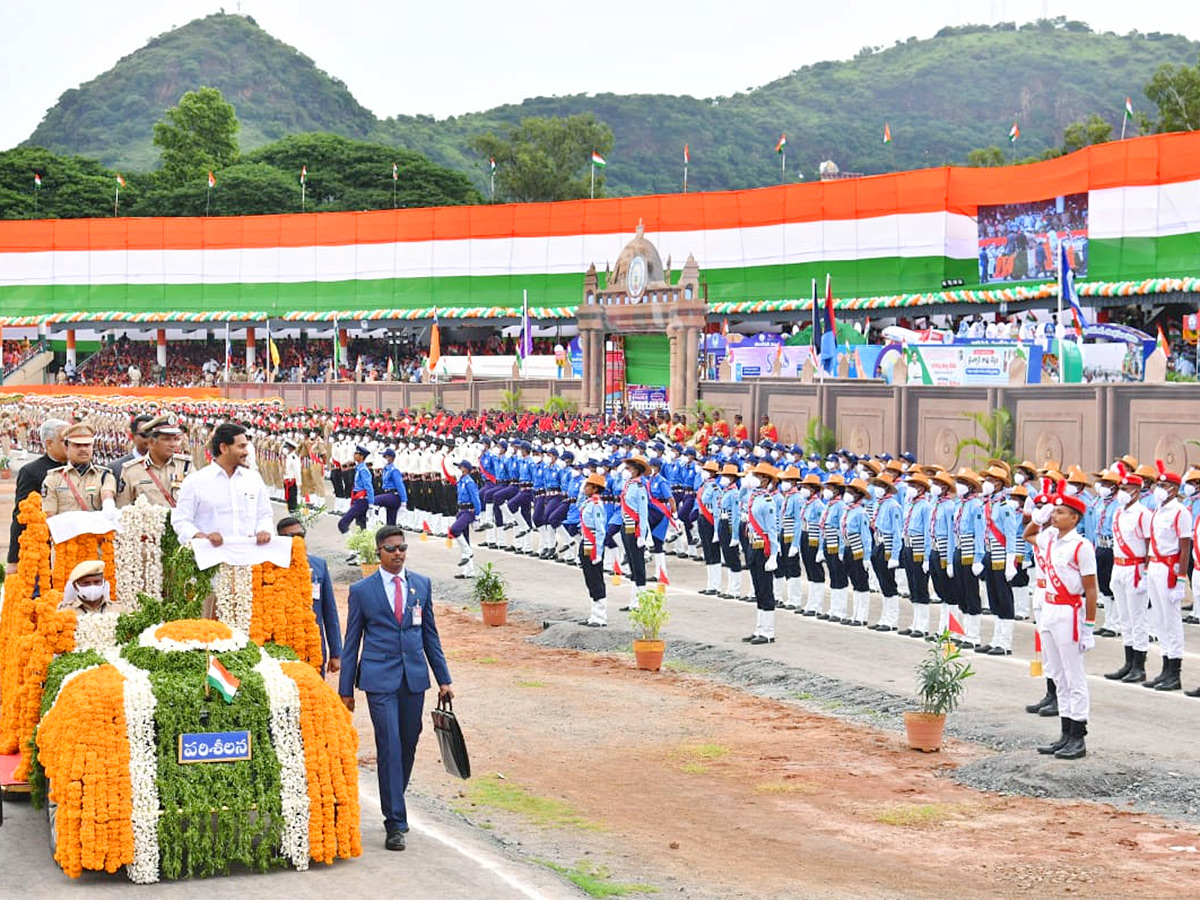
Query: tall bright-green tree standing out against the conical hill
column 197, row 136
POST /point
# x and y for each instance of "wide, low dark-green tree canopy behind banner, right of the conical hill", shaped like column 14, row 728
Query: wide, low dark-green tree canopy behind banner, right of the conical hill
column 346, row 175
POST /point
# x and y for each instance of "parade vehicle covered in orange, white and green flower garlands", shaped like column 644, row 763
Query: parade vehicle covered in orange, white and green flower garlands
column 164, row 741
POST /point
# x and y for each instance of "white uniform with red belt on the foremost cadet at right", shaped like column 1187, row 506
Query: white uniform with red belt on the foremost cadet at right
column 1067, row 560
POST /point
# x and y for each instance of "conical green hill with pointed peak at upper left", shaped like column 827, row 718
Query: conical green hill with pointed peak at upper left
column 275, row 89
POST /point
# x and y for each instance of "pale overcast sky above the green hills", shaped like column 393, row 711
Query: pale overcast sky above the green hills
column 465, row 56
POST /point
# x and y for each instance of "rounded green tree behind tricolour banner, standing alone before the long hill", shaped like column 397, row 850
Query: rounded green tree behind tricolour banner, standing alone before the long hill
column 547, row 158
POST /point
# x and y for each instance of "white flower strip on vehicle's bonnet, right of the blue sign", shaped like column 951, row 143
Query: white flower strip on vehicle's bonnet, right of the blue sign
column 284, row 695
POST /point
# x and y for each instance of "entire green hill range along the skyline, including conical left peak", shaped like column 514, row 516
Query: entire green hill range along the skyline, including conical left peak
column 941, row 97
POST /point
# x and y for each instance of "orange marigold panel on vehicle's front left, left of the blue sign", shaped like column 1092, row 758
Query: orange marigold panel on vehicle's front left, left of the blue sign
column 91, row 781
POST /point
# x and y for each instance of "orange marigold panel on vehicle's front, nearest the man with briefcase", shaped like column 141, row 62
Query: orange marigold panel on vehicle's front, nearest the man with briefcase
column 332, row 753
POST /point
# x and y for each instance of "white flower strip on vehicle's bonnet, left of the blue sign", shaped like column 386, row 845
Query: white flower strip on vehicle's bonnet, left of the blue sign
column 140, row 705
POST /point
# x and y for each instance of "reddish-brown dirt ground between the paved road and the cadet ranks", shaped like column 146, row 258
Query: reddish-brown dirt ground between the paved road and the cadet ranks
column 691, row 787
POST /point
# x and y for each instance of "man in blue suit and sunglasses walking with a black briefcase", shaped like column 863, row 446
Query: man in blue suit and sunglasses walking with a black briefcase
column 392, row 643
